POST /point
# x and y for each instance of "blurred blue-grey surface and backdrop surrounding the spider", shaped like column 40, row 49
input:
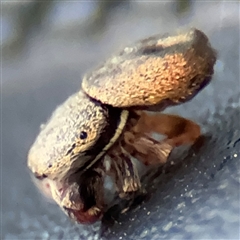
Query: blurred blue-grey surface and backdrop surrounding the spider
column 47, row 46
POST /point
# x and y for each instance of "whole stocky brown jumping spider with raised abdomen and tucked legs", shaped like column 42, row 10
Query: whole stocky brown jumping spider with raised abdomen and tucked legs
column 97, row 131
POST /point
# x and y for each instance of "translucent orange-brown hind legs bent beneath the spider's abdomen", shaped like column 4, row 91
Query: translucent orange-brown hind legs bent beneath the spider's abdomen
column 179, row 131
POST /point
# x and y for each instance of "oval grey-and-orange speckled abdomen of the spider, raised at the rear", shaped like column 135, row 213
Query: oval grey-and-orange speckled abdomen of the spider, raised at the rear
column 156, row 71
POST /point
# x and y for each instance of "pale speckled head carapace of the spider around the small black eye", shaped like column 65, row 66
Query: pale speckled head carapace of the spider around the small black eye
column 58, row 147
